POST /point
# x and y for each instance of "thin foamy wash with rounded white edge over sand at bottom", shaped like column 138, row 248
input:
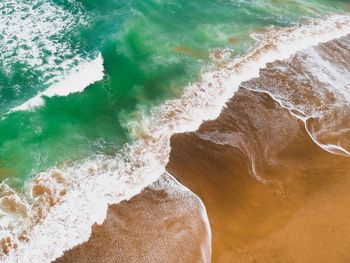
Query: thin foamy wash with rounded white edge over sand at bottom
column 165, row 223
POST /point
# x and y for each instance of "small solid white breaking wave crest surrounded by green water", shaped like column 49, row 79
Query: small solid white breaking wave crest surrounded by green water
column 77, row 80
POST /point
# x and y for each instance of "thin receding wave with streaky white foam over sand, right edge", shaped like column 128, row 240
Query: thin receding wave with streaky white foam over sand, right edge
column 314, row 85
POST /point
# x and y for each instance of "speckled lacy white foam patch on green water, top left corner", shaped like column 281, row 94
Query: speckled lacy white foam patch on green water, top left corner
column 31, row 34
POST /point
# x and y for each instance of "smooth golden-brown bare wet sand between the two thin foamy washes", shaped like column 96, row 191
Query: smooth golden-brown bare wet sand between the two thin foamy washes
column 300, row 216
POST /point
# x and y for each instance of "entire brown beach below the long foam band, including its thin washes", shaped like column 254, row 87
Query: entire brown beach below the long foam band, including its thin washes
column 271, row 193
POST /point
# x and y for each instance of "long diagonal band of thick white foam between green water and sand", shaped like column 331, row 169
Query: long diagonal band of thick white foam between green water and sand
column 60, row 205
